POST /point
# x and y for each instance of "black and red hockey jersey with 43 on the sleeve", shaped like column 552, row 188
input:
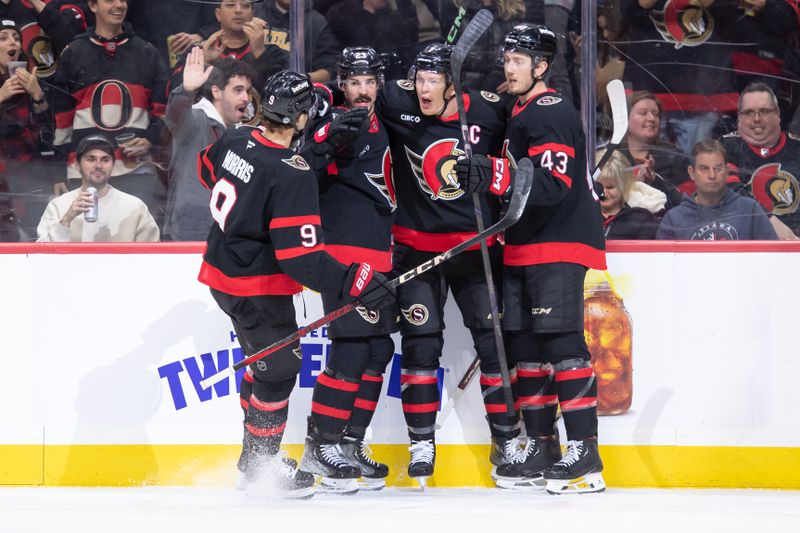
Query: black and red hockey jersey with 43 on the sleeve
column 562, row 222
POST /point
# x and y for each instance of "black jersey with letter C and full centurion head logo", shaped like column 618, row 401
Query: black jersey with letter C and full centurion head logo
column 433, row 212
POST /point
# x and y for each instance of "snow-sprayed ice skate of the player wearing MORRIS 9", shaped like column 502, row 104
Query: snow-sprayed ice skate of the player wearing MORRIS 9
column 277, row 476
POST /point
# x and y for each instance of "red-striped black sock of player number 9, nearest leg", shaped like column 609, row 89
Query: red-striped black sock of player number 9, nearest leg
column 266, row 416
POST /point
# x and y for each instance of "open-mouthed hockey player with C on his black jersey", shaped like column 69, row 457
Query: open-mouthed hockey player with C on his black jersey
column 434, row 214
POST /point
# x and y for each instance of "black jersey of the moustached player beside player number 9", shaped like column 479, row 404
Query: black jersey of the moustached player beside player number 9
column 357, row 198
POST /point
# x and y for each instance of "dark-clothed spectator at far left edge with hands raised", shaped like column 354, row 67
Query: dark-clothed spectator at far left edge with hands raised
column 24, row 124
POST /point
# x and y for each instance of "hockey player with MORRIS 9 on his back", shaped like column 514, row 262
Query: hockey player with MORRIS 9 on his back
column 265, row 244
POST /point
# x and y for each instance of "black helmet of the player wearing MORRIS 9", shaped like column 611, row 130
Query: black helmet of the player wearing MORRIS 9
column 286, row 96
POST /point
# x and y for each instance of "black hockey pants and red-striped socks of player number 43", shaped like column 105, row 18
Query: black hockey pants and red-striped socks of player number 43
column 543, row 317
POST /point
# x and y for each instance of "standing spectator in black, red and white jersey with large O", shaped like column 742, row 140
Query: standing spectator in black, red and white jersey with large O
column 109, row 80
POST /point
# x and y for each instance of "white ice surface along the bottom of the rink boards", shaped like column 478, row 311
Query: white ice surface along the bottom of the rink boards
column 189, row 510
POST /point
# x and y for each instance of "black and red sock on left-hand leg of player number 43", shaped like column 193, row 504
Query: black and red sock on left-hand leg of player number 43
column 537, row 397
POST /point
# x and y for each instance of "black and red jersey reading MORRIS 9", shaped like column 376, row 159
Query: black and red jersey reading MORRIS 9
column 266, row 238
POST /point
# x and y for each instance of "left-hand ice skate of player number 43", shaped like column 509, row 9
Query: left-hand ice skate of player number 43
column 525, row 470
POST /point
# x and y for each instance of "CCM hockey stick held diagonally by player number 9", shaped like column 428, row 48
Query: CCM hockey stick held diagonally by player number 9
column 522, row 187
